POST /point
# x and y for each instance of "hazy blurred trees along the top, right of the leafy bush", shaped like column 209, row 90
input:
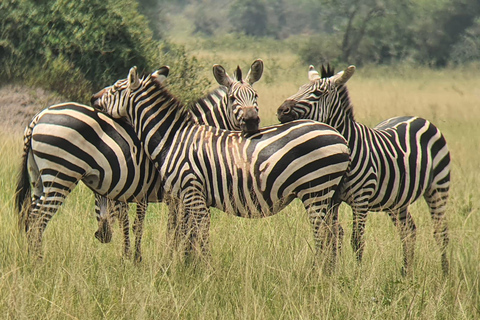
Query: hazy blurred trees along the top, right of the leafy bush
column 429, row 32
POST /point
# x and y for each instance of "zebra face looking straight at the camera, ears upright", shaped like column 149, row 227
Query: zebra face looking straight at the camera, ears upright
column 242, row 106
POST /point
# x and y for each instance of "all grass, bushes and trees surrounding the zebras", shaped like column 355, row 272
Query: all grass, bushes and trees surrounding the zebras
column 259, row 269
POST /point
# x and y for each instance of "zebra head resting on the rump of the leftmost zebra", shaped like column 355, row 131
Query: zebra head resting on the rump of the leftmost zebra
column 117, row 100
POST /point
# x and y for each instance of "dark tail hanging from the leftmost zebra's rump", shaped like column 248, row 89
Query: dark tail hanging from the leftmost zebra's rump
column 23, row 192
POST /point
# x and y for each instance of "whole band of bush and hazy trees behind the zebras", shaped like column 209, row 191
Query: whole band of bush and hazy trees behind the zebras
column 77, row 47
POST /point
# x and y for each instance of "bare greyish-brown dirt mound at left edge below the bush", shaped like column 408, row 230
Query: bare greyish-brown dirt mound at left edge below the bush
column 18, row 105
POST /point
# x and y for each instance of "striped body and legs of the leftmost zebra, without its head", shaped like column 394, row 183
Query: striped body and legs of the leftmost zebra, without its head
column 70, row 142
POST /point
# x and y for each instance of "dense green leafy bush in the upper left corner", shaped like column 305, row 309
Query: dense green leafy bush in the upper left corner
column 73, row 46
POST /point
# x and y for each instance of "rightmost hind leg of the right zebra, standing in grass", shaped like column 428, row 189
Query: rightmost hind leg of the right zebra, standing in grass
column 437, row 203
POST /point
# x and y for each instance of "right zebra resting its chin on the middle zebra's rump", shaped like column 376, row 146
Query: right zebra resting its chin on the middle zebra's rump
column 392, row 164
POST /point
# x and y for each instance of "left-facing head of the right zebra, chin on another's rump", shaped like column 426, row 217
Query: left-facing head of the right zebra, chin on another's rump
column 319, row 99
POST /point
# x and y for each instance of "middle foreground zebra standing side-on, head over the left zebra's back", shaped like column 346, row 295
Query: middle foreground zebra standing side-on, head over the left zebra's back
column 250, row 176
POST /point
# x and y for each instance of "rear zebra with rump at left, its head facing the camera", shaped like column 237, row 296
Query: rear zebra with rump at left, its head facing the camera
column 69, row 122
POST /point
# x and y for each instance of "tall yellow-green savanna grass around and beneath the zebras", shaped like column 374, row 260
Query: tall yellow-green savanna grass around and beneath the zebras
column 263, row 269
